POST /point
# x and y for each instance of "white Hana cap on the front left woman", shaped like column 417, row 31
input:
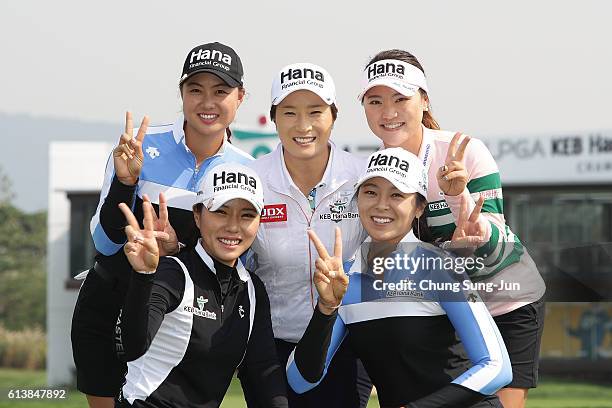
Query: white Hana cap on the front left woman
column 228, row 181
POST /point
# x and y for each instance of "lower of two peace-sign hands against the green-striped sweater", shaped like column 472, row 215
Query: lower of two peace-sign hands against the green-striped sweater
column 470, row 233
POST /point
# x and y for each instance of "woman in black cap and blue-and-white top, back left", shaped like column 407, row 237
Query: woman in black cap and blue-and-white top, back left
column 169, row 159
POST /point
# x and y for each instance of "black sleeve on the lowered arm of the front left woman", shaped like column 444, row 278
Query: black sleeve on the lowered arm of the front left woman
column 261, row 367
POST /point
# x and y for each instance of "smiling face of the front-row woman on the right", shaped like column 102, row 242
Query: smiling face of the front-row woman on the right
column 385, row 212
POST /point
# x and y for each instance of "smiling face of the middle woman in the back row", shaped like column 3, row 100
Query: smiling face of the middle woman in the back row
column 304, row 123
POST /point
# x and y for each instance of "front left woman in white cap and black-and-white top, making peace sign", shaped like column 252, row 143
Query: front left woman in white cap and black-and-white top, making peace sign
column 189, row 321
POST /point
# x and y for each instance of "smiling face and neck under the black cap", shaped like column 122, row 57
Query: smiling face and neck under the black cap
column 209, row 105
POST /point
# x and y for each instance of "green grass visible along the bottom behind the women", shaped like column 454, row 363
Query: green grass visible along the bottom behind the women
column 550, row 394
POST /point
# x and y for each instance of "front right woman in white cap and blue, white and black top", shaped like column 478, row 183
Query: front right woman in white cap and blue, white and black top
column 402, row 304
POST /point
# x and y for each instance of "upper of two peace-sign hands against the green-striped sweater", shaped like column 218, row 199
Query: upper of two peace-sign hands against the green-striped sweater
column 453, row 177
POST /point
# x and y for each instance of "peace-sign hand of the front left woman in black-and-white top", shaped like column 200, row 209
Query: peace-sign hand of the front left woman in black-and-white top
column 141, row 247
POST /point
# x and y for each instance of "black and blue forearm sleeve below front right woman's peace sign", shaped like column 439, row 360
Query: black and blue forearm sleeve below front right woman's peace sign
column 309, row 361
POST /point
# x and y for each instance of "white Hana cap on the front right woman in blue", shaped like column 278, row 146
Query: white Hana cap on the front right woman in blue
column 402, row 168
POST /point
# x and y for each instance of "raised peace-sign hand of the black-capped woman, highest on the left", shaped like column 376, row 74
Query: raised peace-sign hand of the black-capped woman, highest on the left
column 128, row 156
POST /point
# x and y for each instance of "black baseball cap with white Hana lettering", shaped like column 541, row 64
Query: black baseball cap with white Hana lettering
column 216, row 58
